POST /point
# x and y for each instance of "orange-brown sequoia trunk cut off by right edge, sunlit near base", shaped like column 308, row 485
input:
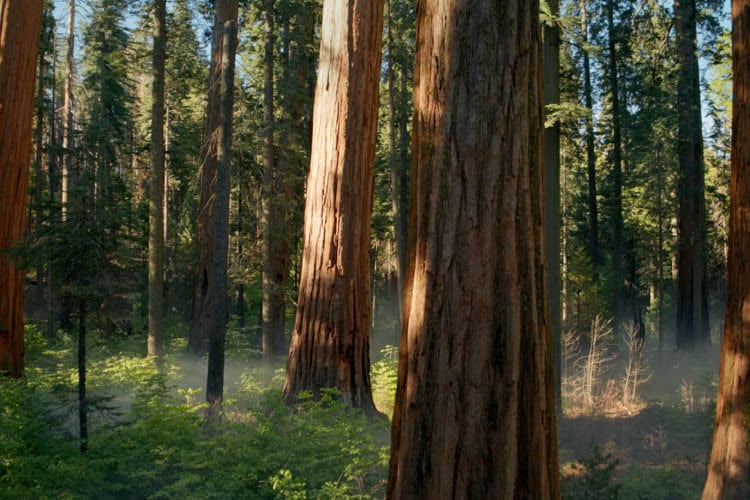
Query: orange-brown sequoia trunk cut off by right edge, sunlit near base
column 729, row 471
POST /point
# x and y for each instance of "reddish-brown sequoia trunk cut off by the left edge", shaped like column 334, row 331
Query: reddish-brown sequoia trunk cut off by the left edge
column 20, row 23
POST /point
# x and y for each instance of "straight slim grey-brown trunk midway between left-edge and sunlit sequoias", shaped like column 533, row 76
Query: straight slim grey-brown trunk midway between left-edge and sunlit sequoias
column 156, row 182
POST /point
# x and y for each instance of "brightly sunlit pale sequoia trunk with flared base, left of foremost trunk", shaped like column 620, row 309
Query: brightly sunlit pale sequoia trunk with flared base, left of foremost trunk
column 330, row 341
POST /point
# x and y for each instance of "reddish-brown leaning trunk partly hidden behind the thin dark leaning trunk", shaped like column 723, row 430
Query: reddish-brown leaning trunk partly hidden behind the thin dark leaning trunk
column 201, row 312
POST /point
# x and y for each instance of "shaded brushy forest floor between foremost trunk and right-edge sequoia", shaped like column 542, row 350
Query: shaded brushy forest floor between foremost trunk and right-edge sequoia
column 656, row 449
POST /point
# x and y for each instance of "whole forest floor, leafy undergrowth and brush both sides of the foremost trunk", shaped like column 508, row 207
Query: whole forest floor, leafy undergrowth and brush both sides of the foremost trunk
column 148, row 438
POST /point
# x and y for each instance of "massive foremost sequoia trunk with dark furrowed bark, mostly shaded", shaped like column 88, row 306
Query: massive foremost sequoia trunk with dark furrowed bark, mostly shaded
column 475, row 415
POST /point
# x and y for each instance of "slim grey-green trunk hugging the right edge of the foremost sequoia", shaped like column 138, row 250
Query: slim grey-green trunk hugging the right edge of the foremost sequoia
column 552, row 189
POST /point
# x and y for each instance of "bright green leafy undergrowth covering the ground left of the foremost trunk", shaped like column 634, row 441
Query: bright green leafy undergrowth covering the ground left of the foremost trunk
column 148, row 438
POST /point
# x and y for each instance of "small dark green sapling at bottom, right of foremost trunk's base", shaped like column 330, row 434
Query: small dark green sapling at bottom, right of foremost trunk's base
column 592, row 478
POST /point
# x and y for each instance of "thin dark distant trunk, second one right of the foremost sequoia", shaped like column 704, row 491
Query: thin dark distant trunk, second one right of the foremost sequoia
column 590, row 152
